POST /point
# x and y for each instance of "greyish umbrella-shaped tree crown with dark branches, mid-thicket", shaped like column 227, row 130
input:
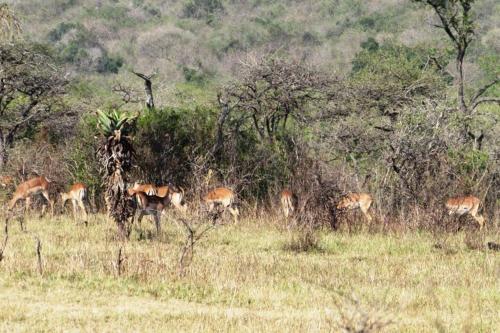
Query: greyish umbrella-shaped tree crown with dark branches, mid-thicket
column 271, row 91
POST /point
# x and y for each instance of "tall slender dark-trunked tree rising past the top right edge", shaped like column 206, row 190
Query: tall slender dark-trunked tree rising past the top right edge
column 457, row 21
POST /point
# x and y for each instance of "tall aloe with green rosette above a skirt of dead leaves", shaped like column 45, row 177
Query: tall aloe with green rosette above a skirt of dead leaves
column 116, row 154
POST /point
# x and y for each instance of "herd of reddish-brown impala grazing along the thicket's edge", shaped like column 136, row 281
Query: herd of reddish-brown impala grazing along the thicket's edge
column 153, row 200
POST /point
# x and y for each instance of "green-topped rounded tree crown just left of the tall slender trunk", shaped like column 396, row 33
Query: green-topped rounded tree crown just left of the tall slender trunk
column 389, row 77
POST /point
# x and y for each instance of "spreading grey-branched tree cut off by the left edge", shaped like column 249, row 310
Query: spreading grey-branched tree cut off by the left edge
column 31, row 87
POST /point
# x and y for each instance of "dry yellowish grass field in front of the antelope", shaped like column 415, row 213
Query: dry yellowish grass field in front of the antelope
column 244, row 277
